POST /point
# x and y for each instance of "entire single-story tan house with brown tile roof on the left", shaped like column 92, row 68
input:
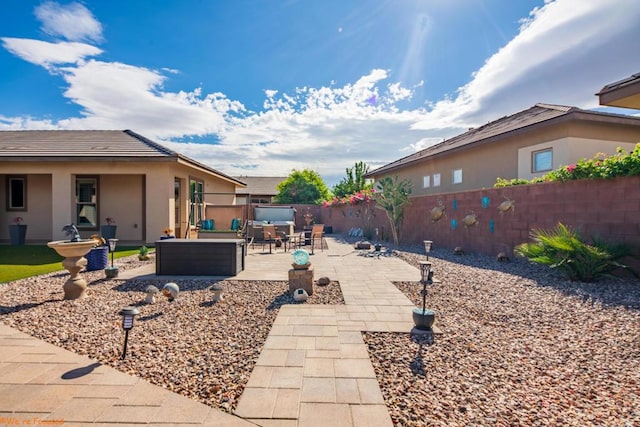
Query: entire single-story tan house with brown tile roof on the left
column 55, row 177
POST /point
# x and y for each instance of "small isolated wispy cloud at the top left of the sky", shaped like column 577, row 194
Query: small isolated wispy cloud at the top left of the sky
column 73, row 22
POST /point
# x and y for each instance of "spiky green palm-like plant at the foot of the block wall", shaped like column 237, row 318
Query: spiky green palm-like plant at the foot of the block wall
column 563, row 248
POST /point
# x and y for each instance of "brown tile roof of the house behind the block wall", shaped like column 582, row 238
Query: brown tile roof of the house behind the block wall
column 538, row 115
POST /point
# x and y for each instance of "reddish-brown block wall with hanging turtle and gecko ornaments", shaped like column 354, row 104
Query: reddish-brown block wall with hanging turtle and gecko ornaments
column 609, row 209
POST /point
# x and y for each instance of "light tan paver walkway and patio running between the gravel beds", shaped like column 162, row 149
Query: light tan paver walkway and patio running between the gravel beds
column 314, row 369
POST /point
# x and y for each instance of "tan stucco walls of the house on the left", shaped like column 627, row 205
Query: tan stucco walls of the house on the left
column 138, row 195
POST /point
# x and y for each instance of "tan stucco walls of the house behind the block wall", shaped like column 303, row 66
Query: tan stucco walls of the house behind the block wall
column 510, row 155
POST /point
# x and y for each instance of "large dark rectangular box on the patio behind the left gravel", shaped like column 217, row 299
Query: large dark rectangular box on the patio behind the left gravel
column 200, row 257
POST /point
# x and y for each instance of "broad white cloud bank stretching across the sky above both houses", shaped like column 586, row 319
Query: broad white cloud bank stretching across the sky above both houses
column 564, row 53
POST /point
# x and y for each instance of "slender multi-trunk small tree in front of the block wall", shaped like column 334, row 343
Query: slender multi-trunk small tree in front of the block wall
column 392, row 195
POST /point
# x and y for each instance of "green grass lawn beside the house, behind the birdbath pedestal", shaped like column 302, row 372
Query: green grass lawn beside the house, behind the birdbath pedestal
column 19, row 262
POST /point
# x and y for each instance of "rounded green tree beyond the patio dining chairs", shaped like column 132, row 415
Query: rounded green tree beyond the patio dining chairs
column 302, row 186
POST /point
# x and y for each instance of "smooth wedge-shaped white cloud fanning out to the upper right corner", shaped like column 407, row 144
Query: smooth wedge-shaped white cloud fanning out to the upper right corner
column 565, row 52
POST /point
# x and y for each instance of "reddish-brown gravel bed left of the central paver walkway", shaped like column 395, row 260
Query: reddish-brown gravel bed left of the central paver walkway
column 192, row 346
